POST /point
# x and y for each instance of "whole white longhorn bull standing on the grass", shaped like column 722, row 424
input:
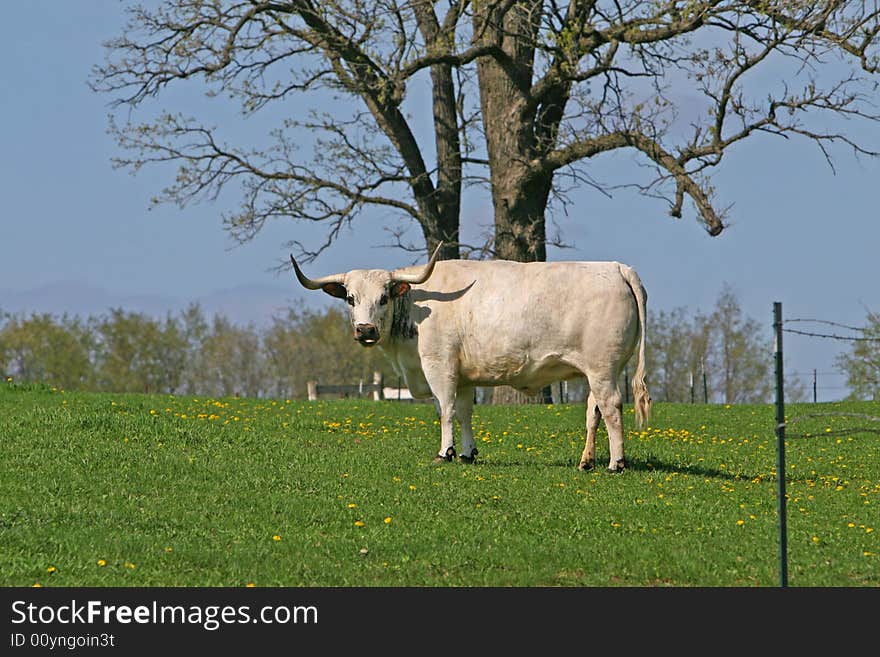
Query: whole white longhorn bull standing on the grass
column 455, row 324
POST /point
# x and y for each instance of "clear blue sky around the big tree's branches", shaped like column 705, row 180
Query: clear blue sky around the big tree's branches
column 79, row 236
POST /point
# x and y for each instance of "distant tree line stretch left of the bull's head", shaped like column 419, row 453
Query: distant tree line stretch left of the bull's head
column 186, row 353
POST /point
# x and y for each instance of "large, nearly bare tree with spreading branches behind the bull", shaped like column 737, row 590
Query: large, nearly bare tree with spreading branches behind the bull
column 531, row 90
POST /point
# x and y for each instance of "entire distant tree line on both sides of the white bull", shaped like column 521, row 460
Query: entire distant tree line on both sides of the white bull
column 189, row 353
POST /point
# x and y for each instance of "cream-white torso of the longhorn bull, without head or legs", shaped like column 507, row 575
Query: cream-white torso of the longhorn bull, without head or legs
column 524, row 323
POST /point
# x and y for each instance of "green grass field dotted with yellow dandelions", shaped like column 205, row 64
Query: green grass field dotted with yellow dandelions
column 137, row 490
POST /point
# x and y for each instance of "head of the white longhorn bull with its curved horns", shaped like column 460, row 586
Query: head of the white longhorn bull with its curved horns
column 369, row 294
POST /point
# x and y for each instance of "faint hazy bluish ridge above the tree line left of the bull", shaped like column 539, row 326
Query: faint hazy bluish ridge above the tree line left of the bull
column 243, row 304
